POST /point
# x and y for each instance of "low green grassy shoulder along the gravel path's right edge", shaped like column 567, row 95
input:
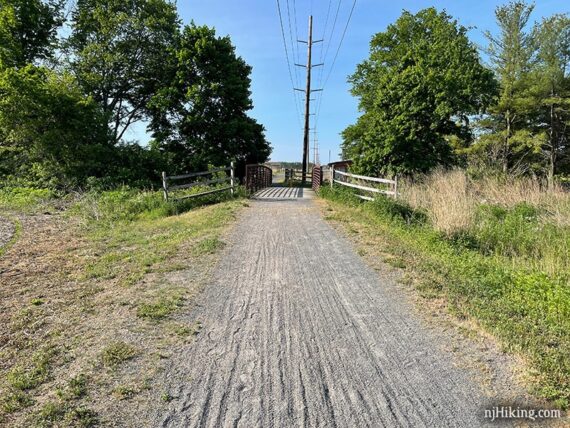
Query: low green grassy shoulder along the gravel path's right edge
column 525, row 307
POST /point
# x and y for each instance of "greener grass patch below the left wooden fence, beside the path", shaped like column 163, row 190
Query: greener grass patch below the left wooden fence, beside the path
column 140, row 235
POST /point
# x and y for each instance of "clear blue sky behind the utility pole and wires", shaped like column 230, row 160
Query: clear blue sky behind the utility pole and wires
column 254, row 28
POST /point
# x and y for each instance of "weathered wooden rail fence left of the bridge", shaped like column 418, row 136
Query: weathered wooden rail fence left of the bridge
column 167, row 188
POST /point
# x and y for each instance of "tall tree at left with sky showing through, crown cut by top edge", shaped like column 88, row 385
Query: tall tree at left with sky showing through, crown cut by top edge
column 119, row 49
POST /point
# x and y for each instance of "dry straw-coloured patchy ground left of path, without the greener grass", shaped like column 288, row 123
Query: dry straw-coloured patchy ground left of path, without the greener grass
column 77, row 349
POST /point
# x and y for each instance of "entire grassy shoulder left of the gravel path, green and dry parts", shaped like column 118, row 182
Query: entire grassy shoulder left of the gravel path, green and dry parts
column 95, row 300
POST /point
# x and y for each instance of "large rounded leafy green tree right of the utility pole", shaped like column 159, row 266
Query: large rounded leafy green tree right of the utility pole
column 417, row 90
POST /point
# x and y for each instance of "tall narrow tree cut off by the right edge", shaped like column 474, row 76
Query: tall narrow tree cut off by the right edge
column 552, row 89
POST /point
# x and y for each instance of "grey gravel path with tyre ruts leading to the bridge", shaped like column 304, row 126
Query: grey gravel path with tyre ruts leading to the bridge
column 298, row 331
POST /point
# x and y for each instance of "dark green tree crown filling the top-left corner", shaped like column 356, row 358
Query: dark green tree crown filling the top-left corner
column 28, row 30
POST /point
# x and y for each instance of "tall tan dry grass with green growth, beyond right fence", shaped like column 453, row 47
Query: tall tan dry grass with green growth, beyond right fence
column 521, row 219
